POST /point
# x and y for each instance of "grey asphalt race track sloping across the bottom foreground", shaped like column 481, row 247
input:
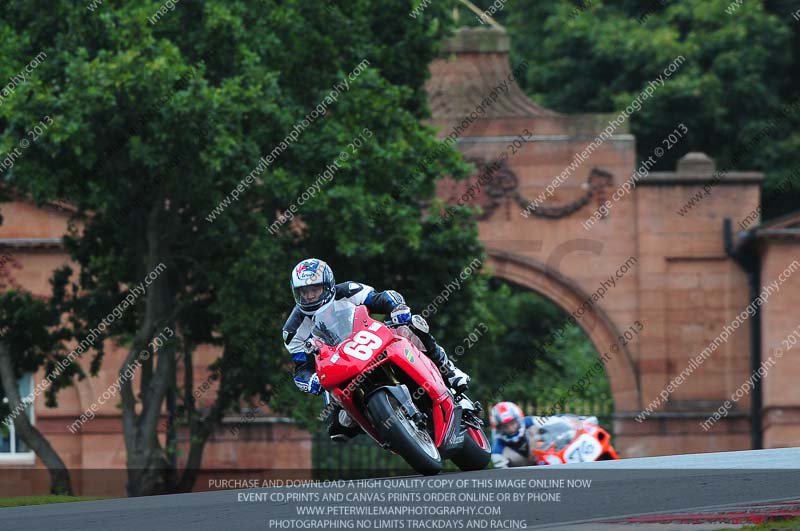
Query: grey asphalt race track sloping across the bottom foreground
column 603, row 495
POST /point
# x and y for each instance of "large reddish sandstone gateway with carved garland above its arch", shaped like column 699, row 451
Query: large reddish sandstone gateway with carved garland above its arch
column 684, row 286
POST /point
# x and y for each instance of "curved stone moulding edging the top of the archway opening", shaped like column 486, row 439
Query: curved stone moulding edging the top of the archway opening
column 568, row 295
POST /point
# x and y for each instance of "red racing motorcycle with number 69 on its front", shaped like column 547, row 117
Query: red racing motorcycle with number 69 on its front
column 376, row 371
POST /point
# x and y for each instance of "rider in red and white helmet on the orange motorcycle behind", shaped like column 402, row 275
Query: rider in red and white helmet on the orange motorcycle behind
column 512, row 433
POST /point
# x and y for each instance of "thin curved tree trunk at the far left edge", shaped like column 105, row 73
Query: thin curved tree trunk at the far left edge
column 59, row 475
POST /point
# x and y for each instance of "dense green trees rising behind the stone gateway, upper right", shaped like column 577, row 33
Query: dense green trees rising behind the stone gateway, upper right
column 739, row 76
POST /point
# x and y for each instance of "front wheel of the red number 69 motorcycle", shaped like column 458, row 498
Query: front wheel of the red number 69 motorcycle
column 403, row 435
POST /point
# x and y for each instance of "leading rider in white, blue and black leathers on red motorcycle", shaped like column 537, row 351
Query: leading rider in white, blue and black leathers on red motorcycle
column 314, row 288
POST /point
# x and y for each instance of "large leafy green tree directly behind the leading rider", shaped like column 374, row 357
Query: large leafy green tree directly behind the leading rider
column 148, row 127
